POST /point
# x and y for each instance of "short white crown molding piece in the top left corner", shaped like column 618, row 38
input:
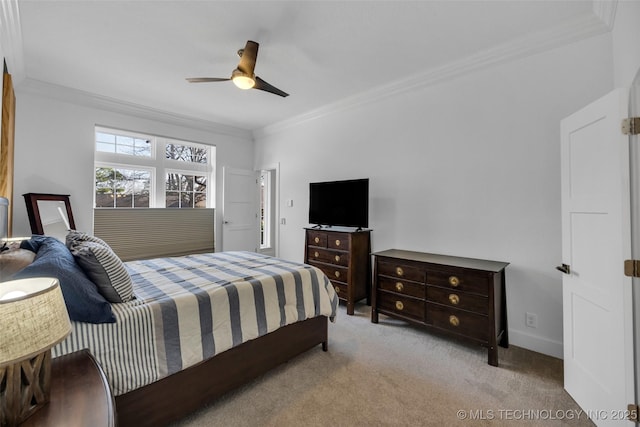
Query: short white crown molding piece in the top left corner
column 11, row 39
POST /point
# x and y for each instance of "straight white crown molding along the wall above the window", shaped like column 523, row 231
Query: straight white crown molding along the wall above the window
column 87, row 99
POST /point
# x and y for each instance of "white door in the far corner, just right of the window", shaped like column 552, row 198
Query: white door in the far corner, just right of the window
column 240, row 210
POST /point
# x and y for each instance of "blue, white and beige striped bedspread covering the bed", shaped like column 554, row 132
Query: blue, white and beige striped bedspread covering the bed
column 190, row 308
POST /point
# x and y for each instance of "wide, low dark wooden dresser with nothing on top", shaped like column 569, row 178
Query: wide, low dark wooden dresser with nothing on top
column 463, row 297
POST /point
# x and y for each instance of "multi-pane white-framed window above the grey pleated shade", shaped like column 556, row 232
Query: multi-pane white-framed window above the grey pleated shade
column 141, row 171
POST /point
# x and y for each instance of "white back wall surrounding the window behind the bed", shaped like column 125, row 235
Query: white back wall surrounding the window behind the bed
column 54, row 150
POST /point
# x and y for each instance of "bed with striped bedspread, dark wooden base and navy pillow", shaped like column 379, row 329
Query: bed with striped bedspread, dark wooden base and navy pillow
column 192, row 327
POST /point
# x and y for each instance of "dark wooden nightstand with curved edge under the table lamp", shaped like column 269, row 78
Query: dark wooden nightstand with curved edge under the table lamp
column 80, row 395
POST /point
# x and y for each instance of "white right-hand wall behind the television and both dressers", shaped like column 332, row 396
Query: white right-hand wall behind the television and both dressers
column 469, row 167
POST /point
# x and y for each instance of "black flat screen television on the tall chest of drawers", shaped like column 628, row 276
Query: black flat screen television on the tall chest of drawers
column 339, row 203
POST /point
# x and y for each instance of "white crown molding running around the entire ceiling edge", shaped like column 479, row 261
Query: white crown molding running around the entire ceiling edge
column 601, row 21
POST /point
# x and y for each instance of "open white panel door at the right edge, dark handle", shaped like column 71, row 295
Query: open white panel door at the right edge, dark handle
column 597, row 296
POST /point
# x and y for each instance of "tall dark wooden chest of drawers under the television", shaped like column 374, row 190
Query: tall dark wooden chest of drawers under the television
column 344, row 257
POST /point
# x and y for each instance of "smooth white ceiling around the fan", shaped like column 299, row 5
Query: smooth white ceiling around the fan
column 320, row 52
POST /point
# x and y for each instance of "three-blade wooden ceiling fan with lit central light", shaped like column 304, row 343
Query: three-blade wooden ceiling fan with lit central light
column 243, row 76
